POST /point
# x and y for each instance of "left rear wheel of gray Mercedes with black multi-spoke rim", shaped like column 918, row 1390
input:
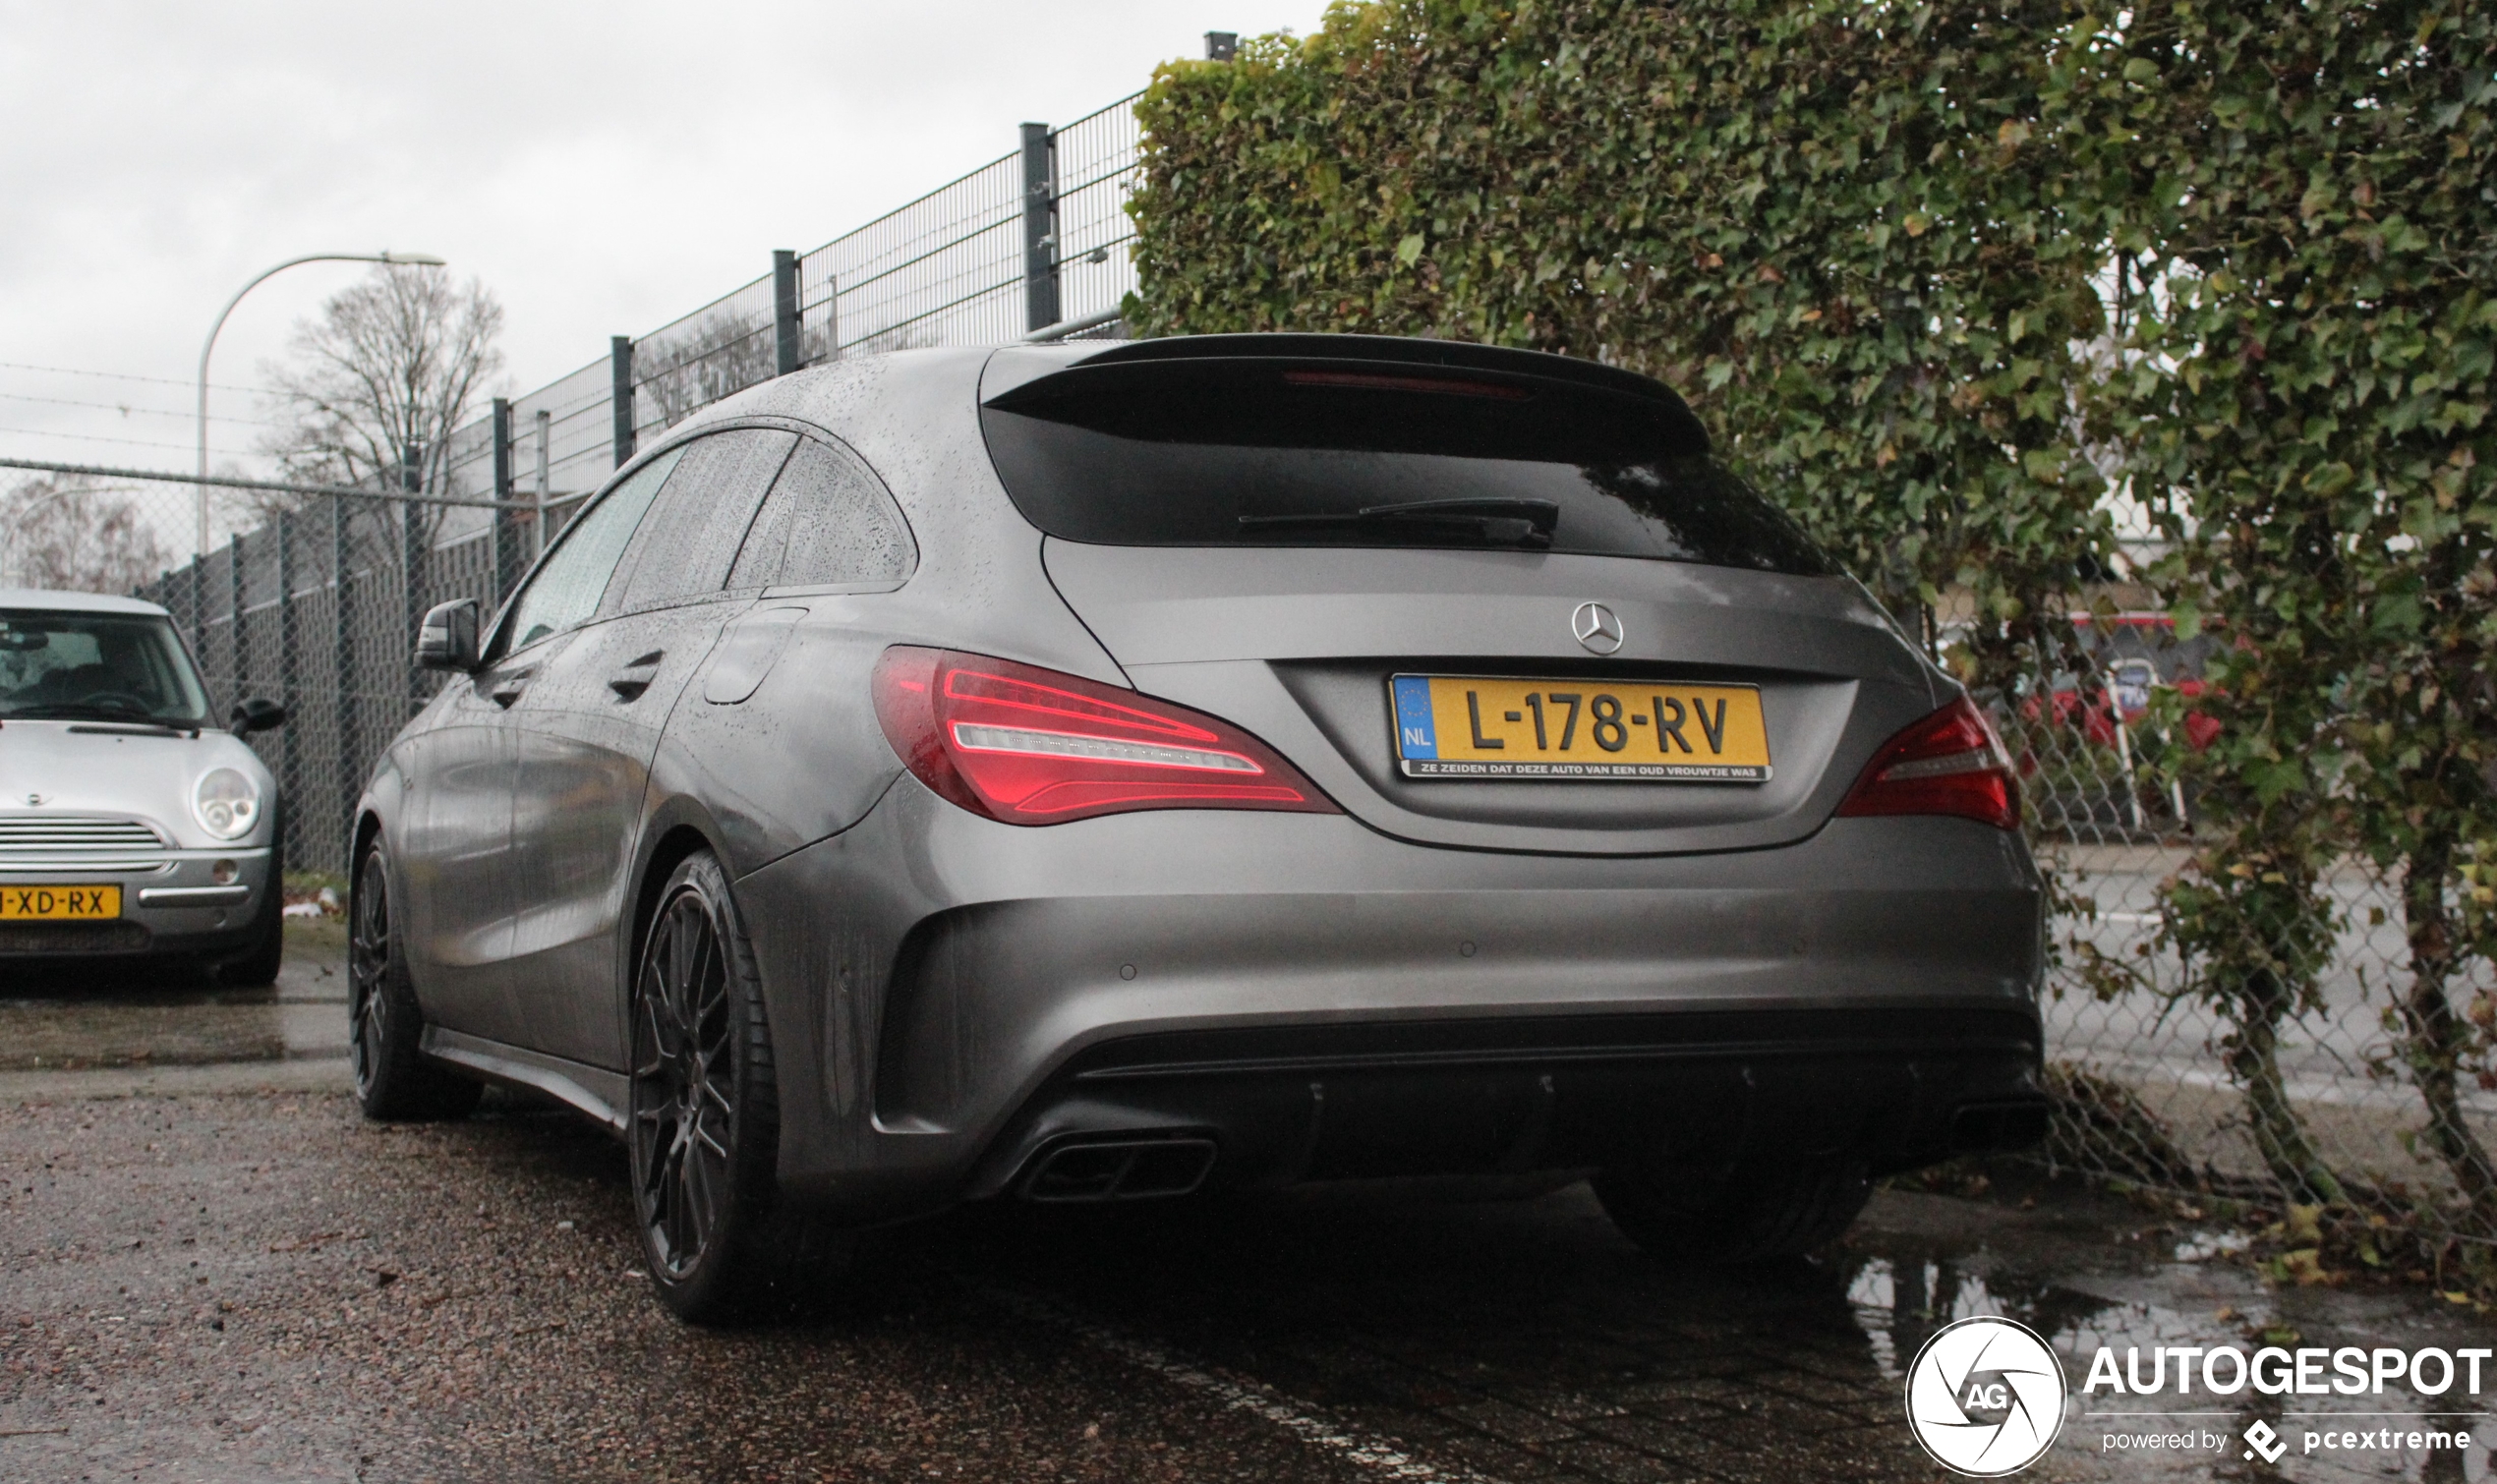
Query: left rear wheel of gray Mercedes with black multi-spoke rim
column 703, row 1120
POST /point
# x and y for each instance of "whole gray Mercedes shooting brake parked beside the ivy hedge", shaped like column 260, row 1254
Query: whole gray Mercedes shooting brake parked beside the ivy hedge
column 1095, row 773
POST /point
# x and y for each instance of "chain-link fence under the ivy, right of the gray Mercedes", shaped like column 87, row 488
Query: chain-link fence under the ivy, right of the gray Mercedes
column 2303, row 1088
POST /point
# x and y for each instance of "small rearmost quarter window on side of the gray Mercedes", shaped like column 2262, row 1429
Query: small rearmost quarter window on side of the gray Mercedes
column 825, row 523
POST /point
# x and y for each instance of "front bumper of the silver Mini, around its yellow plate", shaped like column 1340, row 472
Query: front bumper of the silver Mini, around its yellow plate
column 171, row 906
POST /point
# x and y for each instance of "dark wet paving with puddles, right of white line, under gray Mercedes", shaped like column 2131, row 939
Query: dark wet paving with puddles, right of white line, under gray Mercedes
column 1527, row 1340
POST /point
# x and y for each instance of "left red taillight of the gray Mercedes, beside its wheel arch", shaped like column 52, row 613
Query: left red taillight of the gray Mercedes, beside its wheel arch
column 1040, row 748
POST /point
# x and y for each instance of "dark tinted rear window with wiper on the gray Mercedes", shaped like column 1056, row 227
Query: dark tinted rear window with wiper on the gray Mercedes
column 1280, row 453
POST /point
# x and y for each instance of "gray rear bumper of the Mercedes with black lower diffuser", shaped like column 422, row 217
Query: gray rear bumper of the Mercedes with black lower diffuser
column 1317, row 1001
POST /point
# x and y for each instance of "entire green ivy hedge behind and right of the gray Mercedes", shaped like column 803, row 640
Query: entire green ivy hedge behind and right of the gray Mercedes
column 1941, row 274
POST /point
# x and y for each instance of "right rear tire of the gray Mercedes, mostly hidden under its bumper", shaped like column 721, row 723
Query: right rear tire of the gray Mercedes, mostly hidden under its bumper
column 1737, row 1218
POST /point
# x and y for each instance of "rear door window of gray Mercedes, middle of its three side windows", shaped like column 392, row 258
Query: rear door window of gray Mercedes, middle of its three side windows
column 690, row 538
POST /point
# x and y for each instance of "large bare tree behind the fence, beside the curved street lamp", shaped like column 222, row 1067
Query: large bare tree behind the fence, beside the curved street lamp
column 398, row 361
